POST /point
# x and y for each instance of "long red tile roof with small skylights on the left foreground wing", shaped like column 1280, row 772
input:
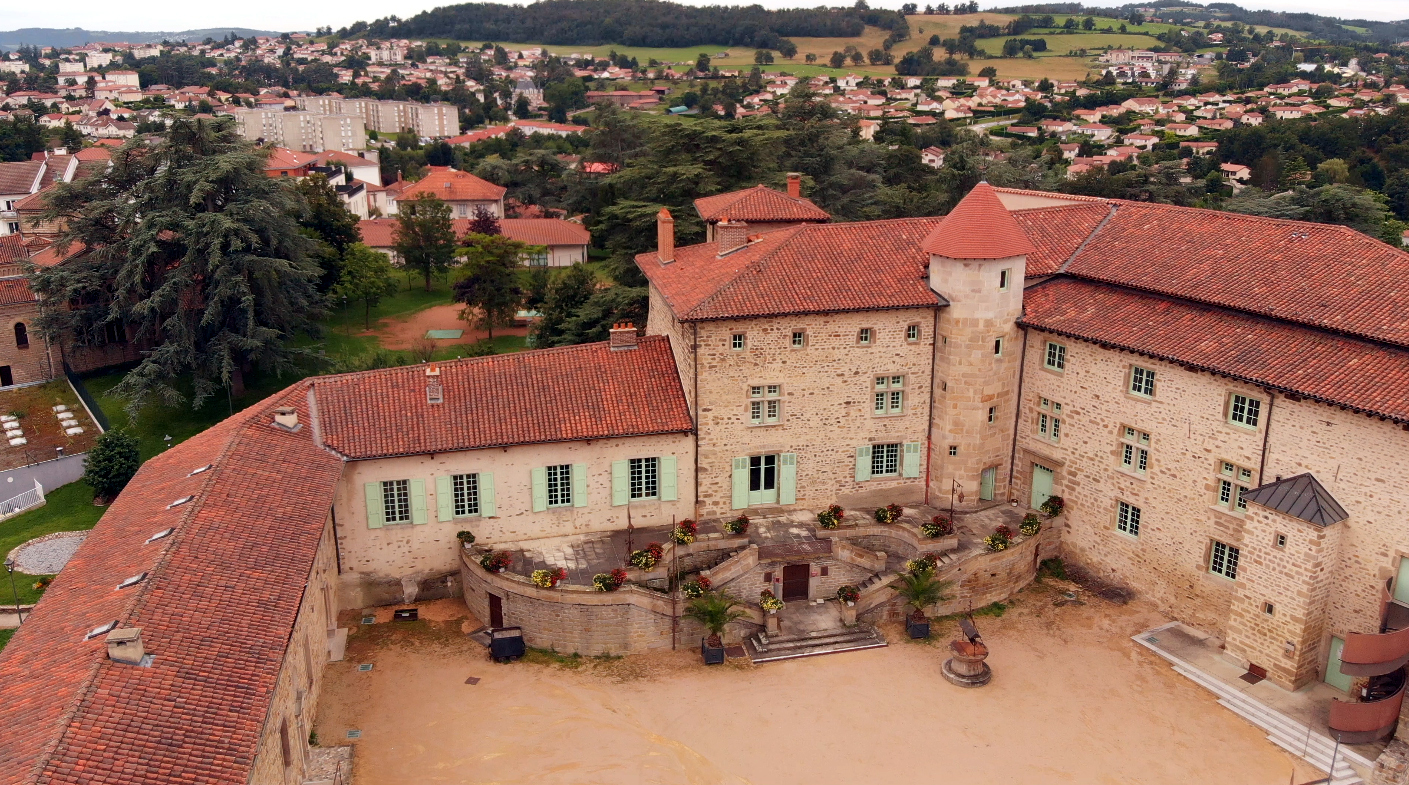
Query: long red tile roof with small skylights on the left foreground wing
column 216, row 612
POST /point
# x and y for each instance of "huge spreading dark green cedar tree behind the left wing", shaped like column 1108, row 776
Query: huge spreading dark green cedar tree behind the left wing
column 190, row 245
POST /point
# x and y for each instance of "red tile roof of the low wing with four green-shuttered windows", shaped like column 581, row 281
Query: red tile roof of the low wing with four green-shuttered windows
column 567, row 394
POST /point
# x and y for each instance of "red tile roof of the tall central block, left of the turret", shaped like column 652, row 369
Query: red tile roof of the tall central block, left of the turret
column 811, row 268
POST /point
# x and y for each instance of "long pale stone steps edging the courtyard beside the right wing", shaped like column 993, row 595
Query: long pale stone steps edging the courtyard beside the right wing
column 1287, row 734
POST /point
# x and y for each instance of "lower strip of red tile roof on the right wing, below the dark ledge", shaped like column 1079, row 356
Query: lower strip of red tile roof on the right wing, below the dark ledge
column 1360, row 376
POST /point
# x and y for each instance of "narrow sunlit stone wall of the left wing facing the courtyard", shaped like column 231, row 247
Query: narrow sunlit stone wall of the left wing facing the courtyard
column 294, row 707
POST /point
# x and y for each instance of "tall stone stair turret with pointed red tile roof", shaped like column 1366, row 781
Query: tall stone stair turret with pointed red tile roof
column 979, row 259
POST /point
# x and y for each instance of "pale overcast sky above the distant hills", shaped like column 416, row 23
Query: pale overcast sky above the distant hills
column 283, row 15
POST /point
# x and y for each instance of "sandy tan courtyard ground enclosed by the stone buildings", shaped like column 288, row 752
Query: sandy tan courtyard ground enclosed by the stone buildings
column 1073, row 700
